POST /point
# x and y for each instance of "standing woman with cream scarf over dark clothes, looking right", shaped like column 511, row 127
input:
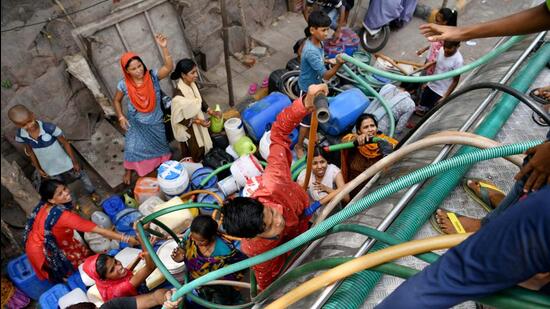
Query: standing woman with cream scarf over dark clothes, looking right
column 189, row 124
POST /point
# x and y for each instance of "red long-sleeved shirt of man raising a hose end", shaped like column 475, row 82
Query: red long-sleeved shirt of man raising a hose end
column 278, row 191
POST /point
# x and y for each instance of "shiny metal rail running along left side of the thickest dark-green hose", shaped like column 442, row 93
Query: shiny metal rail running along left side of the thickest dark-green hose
column 327, row 292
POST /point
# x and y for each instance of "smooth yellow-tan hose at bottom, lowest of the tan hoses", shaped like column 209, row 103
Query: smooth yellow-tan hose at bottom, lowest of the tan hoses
column 367, row 261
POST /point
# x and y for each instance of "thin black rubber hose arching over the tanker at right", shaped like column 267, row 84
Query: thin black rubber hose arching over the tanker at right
column 484, row 85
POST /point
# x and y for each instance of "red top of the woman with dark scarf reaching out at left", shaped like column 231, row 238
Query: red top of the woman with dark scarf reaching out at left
column 63, row 233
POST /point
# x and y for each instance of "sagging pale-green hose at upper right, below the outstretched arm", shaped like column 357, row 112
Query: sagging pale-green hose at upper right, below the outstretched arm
column 429, row 78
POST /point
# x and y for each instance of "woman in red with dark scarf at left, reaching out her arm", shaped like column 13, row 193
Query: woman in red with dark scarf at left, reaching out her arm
column 50, row 245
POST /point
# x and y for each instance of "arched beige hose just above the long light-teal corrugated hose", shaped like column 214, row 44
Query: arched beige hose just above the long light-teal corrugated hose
column 441, row 138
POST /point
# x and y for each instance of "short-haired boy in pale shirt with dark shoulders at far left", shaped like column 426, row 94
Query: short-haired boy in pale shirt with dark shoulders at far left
column 42, row 142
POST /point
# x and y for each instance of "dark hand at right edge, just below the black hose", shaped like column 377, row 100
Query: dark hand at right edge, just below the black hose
column 537, row 168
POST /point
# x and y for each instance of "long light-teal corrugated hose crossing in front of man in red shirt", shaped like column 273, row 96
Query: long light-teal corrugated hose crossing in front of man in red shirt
column 361, row 205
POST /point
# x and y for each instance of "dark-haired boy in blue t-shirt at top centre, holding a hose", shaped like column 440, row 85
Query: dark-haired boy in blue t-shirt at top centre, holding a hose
column 312, row 65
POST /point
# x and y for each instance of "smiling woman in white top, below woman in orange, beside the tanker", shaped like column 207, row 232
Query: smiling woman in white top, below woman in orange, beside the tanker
column 326, row 180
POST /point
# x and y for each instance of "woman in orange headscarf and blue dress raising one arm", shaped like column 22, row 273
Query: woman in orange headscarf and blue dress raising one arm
column 145, row 144
